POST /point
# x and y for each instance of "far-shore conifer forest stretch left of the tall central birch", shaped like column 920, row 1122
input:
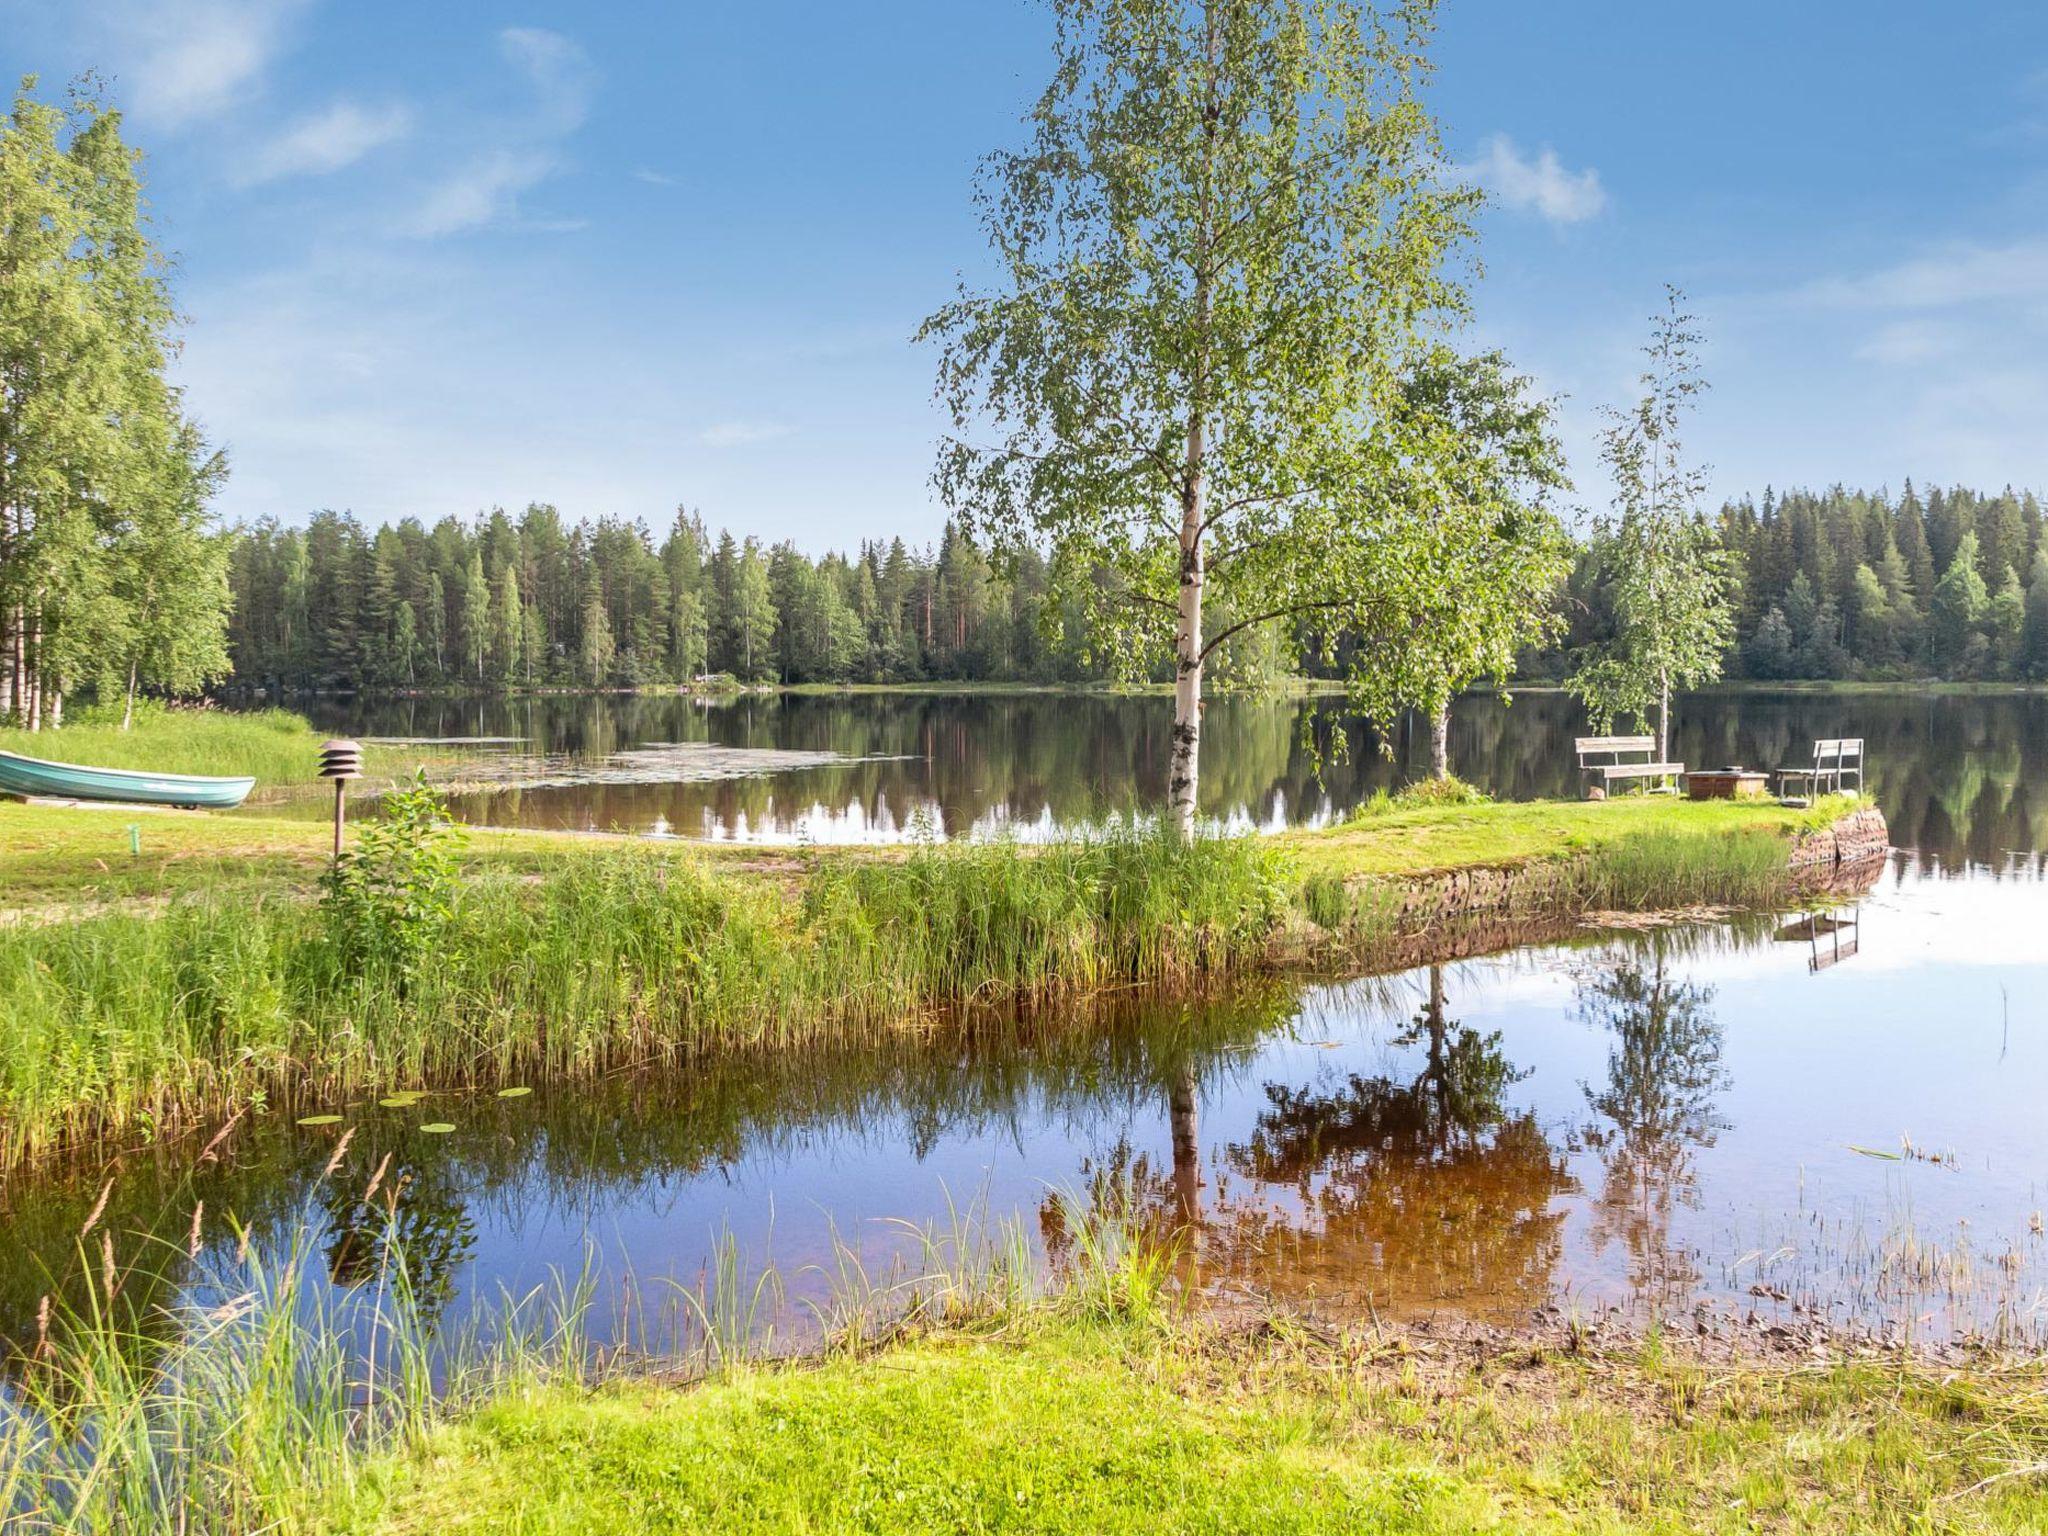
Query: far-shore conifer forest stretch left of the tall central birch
column 538, row 601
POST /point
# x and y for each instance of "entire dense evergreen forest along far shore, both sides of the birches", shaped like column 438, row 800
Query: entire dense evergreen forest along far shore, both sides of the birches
column 1836, row 585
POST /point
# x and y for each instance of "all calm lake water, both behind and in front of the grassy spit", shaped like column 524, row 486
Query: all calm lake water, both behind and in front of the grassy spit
column 1777, row 1117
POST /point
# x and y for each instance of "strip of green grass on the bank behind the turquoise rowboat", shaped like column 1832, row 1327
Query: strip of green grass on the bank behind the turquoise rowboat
column 271, row 746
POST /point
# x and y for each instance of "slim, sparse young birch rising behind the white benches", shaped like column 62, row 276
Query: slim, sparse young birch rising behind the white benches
column 1664, row 562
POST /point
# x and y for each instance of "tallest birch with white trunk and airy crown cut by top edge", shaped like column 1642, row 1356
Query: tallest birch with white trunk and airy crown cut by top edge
column 1222, row 243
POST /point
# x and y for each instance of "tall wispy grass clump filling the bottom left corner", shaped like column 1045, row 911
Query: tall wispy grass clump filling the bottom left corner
column 259, row 1406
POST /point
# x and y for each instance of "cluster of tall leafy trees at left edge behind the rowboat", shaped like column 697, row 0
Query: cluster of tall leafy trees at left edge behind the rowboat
column 114, row 577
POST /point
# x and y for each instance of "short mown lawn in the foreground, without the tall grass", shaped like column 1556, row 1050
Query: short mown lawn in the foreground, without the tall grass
column 1107, row 1426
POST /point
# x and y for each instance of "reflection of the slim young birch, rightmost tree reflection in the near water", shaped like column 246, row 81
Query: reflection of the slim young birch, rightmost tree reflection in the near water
column 1658, row 1107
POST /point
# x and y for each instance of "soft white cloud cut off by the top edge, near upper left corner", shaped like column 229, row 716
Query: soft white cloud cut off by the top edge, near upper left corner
column 187, row 60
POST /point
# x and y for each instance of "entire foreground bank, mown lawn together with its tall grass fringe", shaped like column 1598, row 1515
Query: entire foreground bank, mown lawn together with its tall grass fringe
column 972, row 1402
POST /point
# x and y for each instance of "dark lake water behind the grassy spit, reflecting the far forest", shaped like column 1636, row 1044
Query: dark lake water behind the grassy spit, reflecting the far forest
column 1961, row 777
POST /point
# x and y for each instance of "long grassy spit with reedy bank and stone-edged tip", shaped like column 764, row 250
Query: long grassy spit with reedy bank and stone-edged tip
column 189, row 984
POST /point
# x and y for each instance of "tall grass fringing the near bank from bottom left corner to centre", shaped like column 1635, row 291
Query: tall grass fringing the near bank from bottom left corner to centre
column 271, row 1402
